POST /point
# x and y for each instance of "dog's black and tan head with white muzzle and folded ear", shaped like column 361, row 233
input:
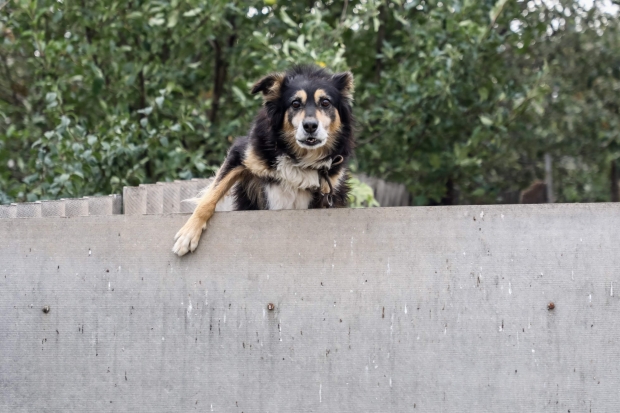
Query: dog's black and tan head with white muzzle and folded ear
column 308, row 104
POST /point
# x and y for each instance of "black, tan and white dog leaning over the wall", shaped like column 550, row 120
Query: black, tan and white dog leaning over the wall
column 295, row 155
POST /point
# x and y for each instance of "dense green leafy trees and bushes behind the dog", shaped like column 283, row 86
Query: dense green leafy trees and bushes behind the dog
column 450, row 95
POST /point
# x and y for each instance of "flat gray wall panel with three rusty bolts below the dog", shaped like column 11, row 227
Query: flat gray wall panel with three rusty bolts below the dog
column 439, row 309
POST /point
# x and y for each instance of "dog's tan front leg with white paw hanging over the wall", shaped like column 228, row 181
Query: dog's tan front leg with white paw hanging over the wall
column 187, row 238
